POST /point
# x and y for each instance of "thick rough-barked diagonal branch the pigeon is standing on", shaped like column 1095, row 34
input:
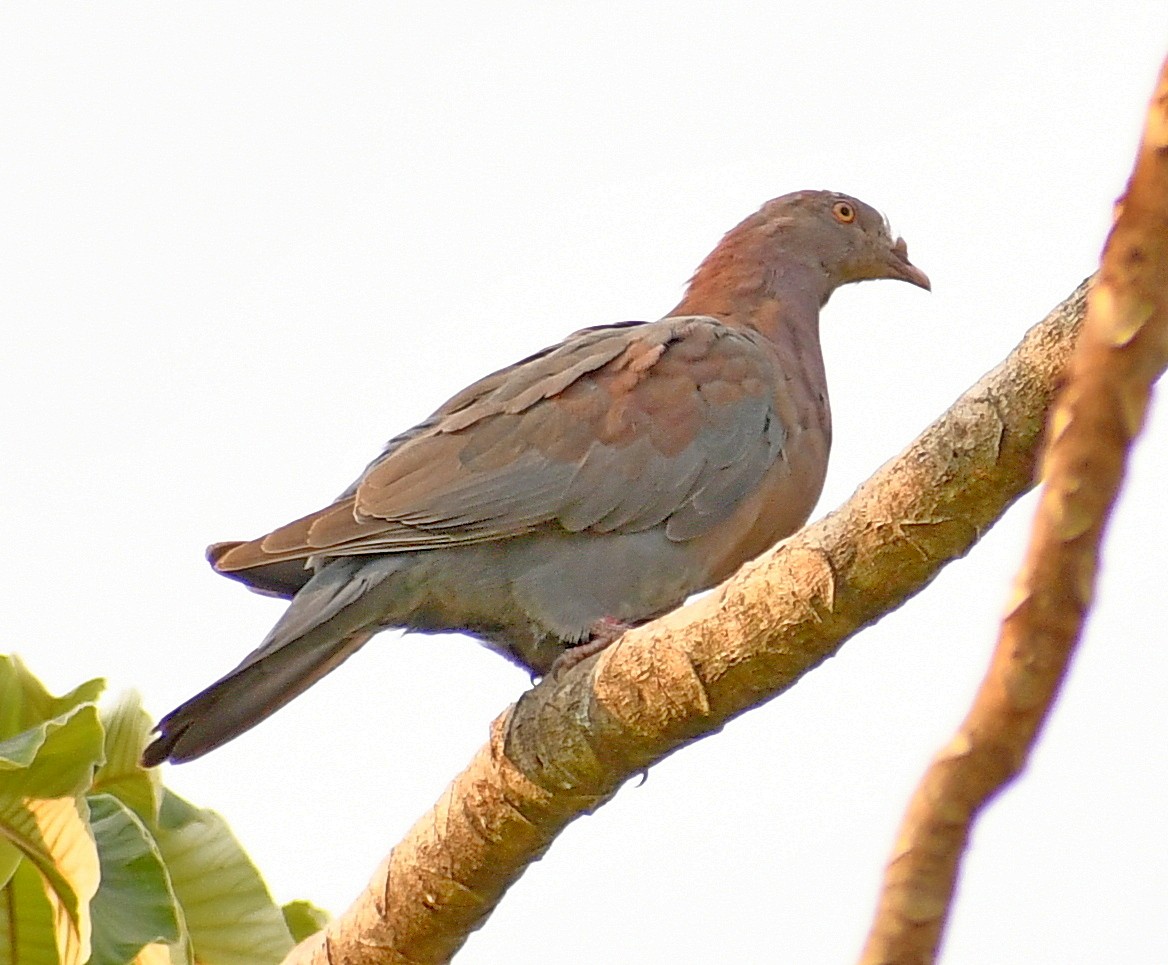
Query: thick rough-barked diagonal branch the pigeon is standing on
column 571, row 742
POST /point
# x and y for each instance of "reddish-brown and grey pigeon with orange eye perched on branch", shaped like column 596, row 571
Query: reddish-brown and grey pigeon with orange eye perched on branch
column 593, row 487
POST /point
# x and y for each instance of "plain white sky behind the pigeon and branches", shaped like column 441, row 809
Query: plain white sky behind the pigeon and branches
column 245, row 245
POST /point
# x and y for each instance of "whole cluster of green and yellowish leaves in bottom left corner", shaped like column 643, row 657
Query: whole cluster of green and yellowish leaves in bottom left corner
column 101, row 864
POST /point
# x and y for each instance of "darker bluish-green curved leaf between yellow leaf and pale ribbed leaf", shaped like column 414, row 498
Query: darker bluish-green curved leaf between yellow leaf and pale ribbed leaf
column 134, row 906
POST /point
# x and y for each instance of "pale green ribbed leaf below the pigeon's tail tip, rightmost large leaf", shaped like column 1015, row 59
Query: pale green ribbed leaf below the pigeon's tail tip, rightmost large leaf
column 230, row 913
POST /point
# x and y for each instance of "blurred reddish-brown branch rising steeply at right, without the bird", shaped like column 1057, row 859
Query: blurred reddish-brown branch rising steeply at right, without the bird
column 1123, row 351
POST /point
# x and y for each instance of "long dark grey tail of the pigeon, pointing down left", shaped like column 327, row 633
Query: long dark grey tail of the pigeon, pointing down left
column 328, row 622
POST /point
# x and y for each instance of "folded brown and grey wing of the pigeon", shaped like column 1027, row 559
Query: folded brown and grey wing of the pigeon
column 617, row 429
